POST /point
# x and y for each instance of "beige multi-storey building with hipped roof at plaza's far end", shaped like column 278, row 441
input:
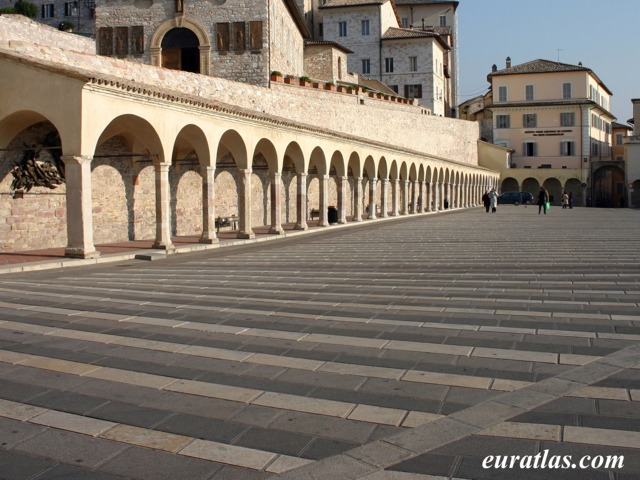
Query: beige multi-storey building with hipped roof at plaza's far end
column 556, row 120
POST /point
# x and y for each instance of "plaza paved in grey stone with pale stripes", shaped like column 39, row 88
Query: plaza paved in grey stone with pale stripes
column 422, row 347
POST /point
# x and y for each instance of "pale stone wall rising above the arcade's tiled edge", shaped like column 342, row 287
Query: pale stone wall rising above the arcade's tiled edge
column 402, row 126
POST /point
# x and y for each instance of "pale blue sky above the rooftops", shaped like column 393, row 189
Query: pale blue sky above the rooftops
column 603, row 35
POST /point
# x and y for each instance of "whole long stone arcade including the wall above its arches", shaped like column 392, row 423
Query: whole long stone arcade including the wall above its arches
column 152, row 153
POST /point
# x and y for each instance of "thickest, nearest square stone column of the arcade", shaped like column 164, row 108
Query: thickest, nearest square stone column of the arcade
column 79, row 208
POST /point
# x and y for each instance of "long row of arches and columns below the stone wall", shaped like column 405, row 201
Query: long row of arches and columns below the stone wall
column 136, row 184
